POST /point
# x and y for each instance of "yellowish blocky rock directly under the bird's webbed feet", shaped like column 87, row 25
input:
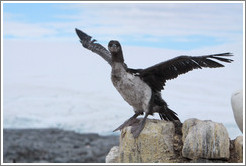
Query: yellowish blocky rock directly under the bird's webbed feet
column 154, row 144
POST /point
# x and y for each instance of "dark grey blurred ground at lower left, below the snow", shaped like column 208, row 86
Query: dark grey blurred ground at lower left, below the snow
column 55, row 146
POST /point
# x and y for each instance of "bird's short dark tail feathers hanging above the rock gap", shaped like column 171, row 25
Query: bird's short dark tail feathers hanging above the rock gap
column 168, row 114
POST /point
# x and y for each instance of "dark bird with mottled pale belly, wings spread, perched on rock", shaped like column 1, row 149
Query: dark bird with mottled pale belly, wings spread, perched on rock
column 141, row 88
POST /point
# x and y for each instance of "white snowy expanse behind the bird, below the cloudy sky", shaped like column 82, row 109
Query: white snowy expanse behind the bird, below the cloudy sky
column 61, row 84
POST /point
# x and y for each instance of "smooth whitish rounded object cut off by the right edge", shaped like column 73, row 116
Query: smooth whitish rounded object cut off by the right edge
column 237, row 107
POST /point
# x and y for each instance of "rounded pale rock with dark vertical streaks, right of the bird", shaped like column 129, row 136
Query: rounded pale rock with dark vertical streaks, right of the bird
column 205, row 139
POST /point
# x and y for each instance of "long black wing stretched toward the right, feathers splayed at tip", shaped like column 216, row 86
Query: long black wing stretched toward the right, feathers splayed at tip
column 156, row 76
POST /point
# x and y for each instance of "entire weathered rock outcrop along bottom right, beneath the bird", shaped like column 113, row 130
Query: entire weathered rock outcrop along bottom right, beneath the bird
column 194, row 141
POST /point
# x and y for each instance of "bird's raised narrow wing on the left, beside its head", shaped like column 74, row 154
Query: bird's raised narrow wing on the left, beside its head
column 94, row 47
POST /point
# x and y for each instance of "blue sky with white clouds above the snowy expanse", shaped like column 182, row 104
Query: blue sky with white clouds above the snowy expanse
column 180, row 26
